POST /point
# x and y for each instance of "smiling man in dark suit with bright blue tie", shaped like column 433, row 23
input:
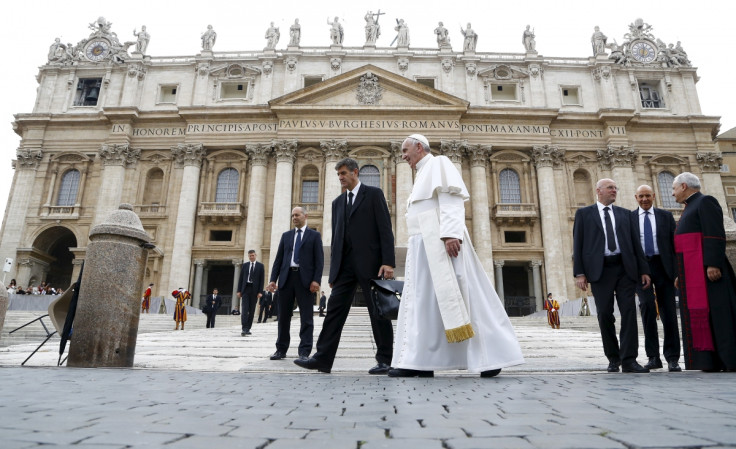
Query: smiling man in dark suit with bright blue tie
column 657, row 238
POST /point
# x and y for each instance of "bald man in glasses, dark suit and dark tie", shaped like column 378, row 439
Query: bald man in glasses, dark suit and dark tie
column 607, row 253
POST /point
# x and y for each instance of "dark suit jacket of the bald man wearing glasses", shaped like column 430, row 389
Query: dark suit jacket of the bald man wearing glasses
column 589, row 242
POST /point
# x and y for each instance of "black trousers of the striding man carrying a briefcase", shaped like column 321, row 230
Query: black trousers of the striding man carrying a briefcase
column 338, row 308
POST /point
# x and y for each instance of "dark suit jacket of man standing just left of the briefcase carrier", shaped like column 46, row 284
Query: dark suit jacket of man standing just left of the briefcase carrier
column 311, row 258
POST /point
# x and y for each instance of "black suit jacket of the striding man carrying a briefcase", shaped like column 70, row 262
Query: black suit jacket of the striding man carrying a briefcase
column 371, row 234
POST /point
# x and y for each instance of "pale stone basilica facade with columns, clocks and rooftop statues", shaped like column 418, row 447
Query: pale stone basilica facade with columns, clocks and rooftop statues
column 214, row 150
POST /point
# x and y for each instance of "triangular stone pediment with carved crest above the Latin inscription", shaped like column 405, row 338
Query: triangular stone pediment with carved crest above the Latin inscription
column 369, row 87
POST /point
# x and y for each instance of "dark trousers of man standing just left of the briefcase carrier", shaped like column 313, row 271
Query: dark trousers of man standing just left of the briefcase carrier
column 293, row 289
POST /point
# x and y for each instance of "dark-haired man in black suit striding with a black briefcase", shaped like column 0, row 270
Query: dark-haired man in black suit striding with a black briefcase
column 362, row 248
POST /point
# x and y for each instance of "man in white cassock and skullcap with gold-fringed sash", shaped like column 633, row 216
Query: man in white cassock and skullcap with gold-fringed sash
column 450, row 315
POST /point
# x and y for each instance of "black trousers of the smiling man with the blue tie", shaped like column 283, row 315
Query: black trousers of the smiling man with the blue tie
column 665, row 289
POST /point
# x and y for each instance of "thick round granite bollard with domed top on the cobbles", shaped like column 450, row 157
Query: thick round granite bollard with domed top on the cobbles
column 106, row 323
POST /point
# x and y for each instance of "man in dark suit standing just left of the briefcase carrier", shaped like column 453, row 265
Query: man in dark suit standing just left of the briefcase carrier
column 298, row 268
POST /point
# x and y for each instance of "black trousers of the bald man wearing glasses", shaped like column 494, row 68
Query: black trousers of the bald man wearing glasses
column 614, row 281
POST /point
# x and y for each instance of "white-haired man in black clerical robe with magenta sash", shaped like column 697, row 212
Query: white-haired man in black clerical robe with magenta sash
column 706, row 280
